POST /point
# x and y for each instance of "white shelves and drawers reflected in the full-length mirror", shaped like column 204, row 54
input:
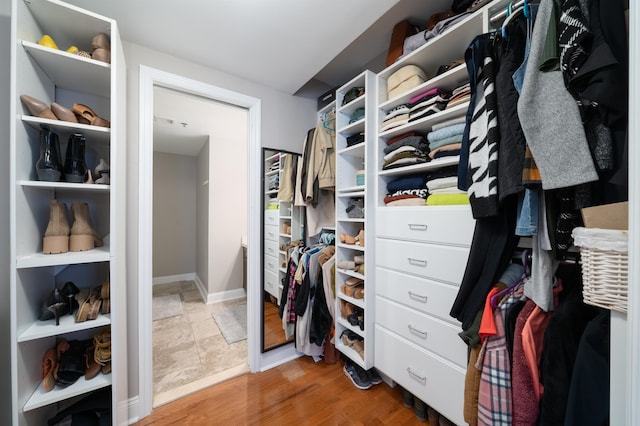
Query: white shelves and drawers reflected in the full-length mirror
column 282, row 224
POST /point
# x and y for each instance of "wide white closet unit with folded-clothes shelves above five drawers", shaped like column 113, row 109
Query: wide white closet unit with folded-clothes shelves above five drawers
column 421, row 252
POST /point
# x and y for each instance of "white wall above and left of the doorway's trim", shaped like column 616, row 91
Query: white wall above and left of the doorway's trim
column 285, row 120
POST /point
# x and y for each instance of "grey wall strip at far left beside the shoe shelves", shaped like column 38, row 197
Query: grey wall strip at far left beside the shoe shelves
column 5, row 323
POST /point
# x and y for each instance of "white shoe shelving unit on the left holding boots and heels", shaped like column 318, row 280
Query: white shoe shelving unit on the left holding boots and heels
column 55, row 75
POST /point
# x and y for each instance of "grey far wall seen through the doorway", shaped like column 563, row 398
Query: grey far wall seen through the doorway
column 174, row 214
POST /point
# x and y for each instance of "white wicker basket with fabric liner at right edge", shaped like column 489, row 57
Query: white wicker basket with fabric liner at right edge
column 605, row 266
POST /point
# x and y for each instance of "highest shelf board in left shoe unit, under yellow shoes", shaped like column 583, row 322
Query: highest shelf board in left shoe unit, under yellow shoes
column 71, row 71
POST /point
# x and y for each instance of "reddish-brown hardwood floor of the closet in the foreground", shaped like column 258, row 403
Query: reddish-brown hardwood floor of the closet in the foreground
column 299, row 392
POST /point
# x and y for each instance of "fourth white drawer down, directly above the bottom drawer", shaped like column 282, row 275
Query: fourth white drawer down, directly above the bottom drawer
column 423, row 330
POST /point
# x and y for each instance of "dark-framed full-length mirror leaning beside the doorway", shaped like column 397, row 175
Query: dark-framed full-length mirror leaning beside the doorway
column 282, row 231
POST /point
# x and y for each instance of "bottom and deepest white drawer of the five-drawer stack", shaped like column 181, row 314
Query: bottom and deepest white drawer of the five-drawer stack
column 440, row 384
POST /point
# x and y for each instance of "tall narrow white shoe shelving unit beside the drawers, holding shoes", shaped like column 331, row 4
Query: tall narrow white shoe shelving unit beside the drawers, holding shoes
column 350, row 160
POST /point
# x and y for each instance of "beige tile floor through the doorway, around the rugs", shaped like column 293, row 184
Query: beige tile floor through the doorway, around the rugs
column 189, row 352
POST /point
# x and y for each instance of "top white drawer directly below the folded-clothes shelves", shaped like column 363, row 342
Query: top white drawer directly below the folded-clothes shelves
column 438, row 224
